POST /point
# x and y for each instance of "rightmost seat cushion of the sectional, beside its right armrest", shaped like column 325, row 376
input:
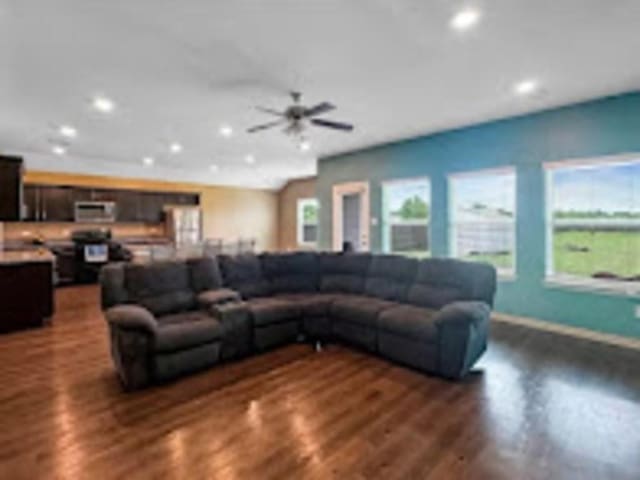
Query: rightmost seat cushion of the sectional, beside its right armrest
column 408, row 321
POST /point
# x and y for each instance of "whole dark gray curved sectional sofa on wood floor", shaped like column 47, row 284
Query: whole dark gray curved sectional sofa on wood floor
column 171, row 318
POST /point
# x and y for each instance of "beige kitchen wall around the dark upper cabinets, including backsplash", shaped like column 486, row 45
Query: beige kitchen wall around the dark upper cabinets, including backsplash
column 229, row 213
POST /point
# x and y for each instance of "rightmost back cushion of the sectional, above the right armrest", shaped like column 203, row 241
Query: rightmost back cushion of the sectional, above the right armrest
column 440, row 281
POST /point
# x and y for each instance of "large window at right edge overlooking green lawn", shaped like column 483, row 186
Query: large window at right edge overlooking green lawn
column 594, row 222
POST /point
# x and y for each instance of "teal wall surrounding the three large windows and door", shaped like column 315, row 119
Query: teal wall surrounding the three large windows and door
column 607, row 126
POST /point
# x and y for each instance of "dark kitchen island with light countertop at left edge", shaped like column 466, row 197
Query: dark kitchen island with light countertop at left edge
column 26, row 289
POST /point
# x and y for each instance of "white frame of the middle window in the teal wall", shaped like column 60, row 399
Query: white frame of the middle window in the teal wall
column 503, row 273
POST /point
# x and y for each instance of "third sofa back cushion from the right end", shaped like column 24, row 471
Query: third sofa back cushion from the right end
column 343, row 273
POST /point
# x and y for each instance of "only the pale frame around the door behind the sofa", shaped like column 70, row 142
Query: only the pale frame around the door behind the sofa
column 350, row 188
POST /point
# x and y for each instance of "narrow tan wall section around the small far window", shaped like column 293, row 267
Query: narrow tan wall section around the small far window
column 287, row 207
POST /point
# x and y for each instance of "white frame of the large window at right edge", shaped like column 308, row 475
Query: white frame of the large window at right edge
column 577, row 282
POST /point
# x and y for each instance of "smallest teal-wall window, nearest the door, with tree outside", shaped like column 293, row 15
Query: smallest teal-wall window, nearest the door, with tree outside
column 406, row 210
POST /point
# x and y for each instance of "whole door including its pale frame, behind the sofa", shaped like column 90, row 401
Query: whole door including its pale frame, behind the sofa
column 351, row 216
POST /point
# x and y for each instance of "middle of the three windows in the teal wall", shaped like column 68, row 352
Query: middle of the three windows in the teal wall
column 483, row 216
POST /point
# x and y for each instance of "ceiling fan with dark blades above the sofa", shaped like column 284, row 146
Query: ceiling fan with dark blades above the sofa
column 297, row 117
